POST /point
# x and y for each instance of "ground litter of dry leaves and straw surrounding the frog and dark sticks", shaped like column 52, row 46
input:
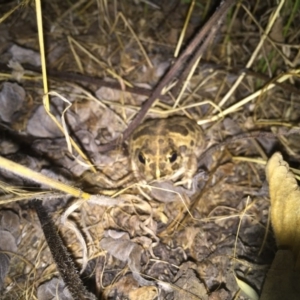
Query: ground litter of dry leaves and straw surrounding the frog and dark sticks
column 195, row 245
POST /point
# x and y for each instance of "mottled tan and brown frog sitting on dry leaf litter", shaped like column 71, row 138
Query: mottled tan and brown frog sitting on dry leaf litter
column 166, row 148
